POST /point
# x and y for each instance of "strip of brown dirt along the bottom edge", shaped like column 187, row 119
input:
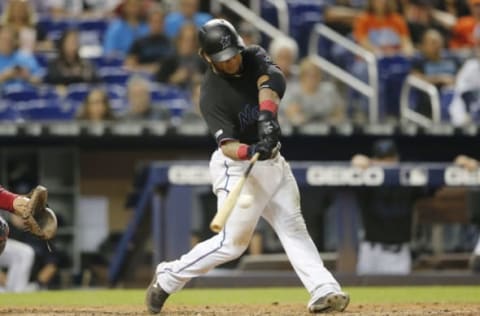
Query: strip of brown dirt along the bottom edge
column 253, row 310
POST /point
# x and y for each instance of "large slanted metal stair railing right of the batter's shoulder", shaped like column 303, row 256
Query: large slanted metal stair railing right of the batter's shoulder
column 369, row 90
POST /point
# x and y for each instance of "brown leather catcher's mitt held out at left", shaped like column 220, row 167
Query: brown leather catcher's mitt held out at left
column 38, row 218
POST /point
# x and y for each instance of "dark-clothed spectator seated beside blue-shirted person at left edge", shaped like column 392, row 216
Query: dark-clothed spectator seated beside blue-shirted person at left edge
column 69, row 67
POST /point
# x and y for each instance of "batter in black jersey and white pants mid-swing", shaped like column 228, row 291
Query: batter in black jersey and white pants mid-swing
column 239, row 101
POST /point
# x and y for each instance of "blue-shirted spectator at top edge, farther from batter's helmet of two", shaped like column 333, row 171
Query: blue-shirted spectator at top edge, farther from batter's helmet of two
column 125, row 29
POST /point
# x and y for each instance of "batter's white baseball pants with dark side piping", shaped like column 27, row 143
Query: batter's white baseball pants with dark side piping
column 277, row 199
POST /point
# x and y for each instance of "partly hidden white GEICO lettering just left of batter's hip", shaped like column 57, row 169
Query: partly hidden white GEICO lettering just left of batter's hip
column 189, row 175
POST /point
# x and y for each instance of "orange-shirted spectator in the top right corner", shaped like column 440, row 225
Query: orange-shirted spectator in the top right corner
column 464, row 29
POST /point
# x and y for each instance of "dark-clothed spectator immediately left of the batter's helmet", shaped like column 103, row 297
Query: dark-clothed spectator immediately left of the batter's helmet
column 185, row 65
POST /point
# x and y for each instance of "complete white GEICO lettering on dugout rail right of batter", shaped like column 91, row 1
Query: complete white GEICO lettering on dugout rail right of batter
column 372, row 176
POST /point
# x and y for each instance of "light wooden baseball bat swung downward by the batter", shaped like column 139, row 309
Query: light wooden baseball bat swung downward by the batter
column 217, row 223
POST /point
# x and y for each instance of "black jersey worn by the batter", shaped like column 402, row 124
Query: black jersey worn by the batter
column 229, row 104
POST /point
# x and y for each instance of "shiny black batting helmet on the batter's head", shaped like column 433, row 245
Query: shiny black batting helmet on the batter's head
column 219, row 40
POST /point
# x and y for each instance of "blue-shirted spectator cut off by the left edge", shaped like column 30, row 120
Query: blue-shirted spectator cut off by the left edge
column 16, row 67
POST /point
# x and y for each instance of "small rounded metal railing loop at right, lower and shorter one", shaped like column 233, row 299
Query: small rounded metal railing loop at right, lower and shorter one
column 407, row 114
